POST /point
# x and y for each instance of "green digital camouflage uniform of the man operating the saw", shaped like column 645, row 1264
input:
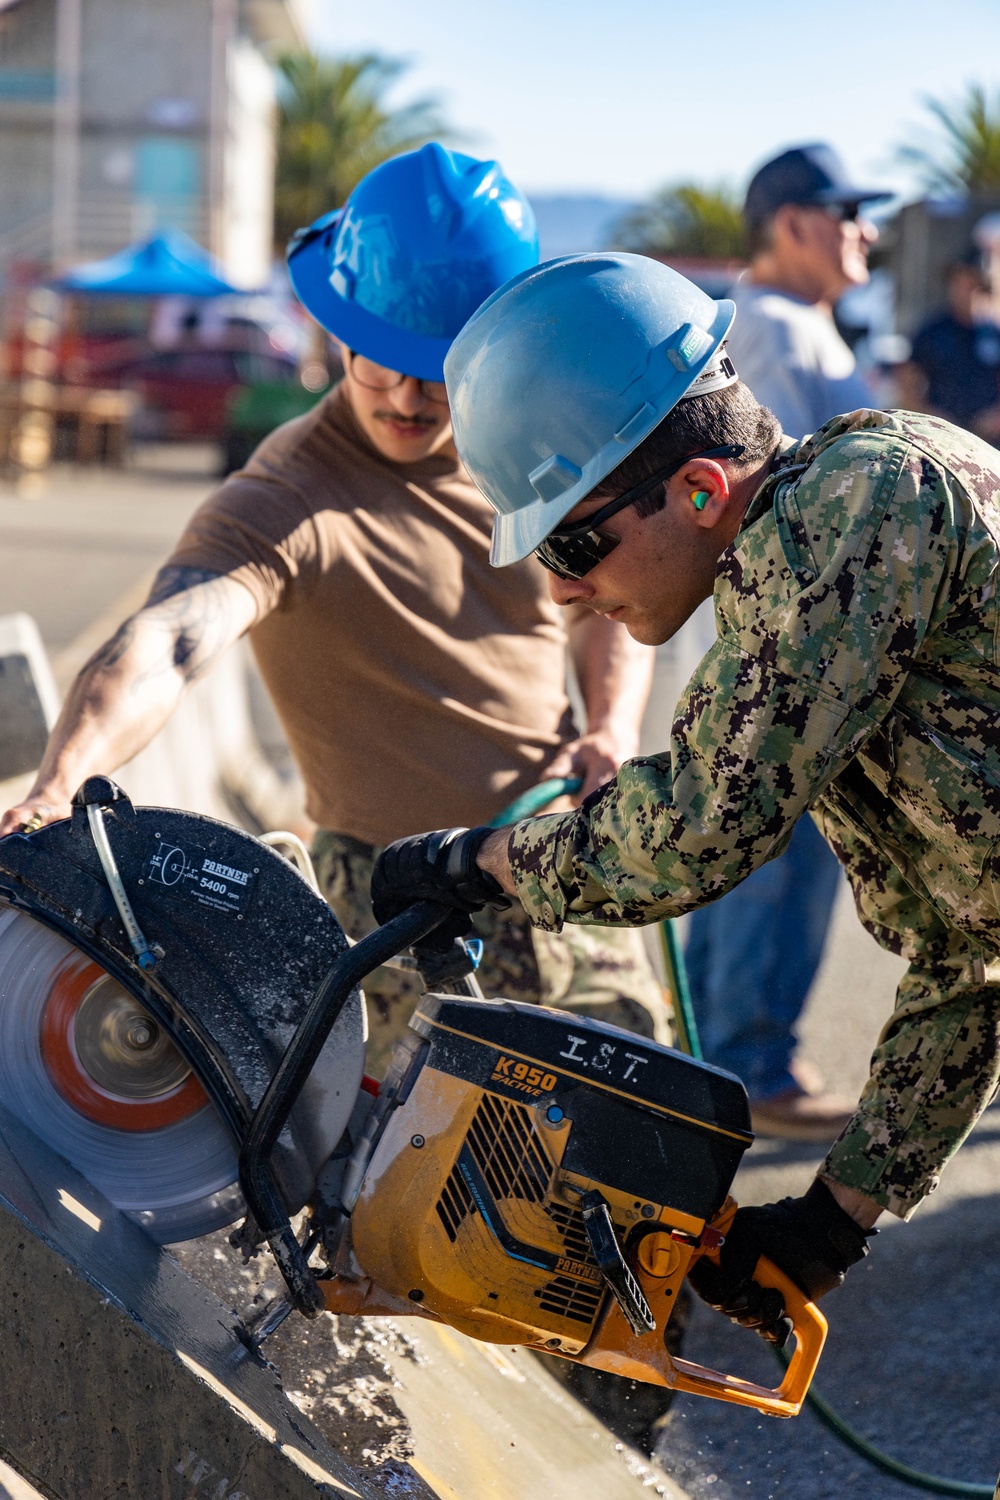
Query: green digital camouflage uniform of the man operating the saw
column 857, row 674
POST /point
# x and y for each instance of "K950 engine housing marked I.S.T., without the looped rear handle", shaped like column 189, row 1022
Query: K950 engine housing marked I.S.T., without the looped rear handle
column 512, row 1117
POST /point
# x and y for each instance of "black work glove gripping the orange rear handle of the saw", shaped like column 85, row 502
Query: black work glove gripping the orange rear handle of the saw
column 812, row 1240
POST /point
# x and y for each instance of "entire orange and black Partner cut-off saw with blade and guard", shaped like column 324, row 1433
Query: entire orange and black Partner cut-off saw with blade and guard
column 181, row 1019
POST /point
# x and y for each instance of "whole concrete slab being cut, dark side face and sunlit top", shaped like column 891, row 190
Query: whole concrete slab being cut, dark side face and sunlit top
column 124, row 1376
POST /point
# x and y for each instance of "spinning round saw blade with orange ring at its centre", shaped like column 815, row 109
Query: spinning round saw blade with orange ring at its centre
column 178, row 1180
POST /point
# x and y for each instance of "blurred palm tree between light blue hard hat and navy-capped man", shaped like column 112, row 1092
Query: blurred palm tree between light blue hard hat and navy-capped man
column 687, row 220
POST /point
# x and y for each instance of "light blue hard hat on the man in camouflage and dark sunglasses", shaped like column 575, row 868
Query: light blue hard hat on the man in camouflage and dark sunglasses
column 564, row 371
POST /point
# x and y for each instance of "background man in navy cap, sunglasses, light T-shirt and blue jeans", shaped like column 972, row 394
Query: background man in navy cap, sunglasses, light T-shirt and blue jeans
column 753, row 956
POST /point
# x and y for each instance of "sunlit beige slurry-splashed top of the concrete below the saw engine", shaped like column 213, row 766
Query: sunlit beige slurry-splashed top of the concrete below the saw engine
column 398, row 1397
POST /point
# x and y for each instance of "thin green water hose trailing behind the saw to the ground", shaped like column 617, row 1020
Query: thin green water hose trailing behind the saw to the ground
column 689, row 1042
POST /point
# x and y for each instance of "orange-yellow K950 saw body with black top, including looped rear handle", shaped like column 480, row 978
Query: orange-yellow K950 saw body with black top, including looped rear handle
column 499, row 1138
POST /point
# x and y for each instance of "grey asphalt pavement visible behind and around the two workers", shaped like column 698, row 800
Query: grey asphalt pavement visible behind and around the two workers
column 914, row 1357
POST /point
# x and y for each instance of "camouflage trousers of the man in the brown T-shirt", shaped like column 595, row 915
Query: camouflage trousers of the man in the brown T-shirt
column 596, row 971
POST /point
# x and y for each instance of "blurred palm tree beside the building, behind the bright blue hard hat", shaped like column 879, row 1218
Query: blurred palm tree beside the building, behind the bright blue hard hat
column 335, row 127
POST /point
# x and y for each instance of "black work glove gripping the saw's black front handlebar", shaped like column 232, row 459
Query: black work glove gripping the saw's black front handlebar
column 437, row 868
